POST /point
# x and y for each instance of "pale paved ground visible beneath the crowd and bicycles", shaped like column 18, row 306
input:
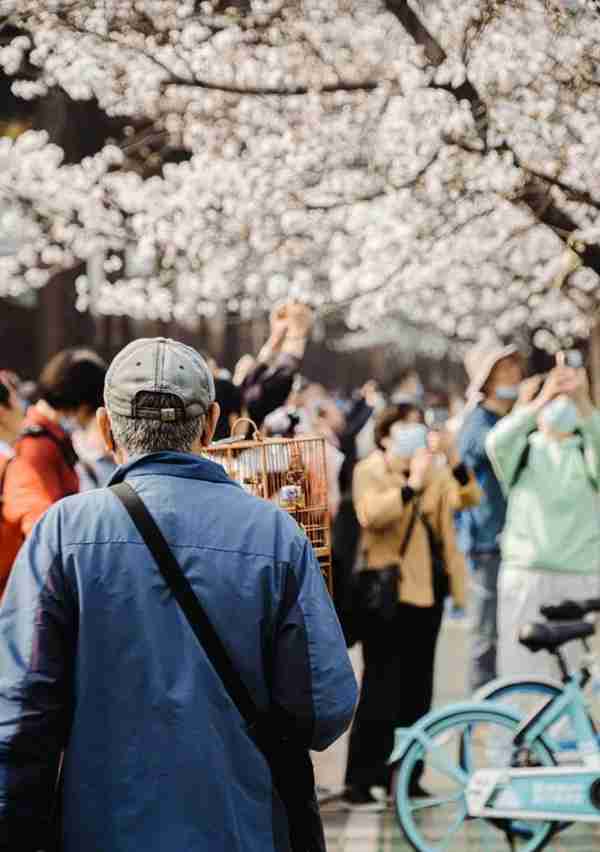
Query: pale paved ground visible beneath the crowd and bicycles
column 356, row 832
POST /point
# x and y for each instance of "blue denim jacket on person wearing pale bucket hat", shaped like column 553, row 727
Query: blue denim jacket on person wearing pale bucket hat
column 479, row 528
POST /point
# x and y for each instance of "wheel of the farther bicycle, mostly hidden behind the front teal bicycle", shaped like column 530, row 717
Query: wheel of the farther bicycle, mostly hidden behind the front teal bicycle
column 525, row 697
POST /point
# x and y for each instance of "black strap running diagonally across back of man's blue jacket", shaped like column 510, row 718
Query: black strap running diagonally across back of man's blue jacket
column 188, row 601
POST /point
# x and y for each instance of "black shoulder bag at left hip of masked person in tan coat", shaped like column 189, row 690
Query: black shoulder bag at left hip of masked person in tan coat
column 375, row 592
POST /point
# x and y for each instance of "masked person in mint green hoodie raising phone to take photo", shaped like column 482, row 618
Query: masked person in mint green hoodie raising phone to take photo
column 546, row 455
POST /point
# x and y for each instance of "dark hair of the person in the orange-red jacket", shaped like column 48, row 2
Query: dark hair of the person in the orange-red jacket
column 72, row 378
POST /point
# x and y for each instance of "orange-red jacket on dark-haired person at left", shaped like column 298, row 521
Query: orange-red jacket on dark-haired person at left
column 39, row 474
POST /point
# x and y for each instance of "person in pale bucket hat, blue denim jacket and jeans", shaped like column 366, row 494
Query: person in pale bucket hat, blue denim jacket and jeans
column 495, row 372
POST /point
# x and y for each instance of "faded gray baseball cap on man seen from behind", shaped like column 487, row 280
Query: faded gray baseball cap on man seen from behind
column 149, row 367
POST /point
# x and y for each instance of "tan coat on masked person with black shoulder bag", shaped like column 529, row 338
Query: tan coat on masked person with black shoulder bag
column 384, row 520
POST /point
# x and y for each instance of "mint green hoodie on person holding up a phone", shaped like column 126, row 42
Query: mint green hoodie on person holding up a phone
column 553, row 518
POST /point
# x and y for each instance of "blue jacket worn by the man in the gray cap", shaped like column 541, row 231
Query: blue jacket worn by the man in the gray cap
column 96, row 657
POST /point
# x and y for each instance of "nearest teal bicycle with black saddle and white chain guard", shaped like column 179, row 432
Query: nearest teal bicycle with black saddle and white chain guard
column 492, row 774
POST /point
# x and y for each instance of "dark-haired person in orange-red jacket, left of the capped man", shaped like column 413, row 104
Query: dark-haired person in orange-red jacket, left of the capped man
column 43, row 469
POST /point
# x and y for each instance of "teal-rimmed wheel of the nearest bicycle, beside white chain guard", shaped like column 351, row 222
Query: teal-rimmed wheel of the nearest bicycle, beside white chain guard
column 453, row 748
